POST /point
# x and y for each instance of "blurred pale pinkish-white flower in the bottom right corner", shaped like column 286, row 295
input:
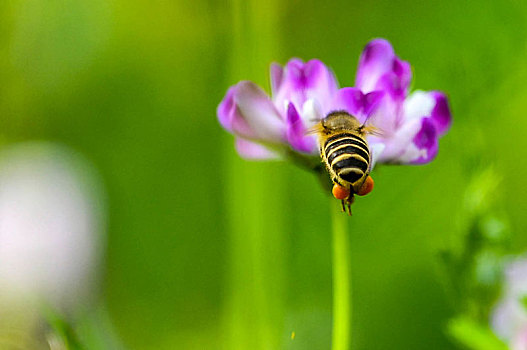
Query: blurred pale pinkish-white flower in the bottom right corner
column 509, row 317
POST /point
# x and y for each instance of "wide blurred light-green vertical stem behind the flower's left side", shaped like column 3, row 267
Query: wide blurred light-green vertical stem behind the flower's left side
column 255, row 199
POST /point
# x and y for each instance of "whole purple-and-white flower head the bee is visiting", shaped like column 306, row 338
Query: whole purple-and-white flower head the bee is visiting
column 304, row 93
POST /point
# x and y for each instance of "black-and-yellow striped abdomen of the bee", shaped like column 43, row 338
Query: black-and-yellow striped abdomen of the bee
column 348, row 156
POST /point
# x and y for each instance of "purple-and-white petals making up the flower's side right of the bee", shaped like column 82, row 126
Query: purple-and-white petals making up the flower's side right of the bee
column 411, row 124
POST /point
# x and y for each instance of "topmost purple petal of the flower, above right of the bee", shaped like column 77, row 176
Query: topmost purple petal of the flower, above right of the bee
column 380, row 69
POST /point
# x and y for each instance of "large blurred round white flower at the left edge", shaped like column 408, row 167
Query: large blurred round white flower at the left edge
column 51, row 226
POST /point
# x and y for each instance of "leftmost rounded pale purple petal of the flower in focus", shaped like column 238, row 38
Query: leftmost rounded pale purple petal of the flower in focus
column 248, row 112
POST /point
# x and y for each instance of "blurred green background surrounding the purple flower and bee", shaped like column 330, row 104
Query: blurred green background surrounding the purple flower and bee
column 207, row 251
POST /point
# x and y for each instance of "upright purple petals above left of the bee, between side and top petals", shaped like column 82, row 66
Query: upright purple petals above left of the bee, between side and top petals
column 301, row 82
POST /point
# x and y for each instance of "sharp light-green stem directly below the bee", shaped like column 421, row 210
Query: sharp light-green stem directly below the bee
column 341, row 279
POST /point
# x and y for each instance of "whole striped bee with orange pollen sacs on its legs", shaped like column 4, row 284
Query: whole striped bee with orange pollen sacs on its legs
column 346, row 154
